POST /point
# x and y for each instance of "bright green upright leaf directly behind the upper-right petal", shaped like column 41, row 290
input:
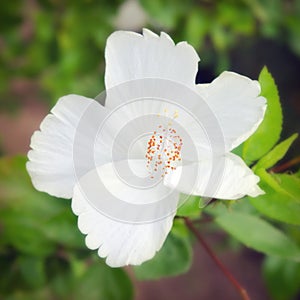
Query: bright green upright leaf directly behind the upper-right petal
column 268, row 133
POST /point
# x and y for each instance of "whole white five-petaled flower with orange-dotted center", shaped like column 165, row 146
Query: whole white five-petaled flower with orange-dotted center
column 125, row 163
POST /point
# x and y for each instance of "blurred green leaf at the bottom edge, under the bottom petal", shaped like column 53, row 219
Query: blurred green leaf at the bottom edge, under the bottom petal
column 102, row 282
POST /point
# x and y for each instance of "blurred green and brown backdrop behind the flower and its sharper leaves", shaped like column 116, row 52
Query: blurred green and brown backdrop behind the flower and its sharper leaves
column 50, row 48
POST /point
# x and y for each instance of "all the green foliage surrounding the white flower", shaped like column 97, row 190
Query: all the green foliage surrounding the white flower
column 59, row 45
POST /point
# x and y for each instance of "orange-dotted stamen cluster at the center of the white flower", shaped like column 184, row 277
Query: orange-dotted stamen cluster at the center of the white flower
column 163, row 151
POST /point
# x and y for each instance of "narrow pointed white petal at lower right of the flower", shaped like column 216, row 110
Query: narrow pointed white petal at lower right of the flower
column 223, row 177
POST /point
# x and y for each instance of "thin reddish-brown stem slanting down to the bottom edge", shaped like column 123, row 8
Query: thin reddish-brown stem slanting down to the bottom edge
column 220, row 265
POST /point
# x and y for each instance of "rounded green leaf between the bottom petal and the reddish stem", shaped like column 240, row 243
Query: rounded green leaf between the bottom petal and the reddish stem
column 174, row 258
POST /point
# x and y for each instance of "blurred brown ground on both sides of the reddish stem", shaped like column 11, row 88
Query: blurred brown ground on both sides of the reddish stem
column 205, row 281
